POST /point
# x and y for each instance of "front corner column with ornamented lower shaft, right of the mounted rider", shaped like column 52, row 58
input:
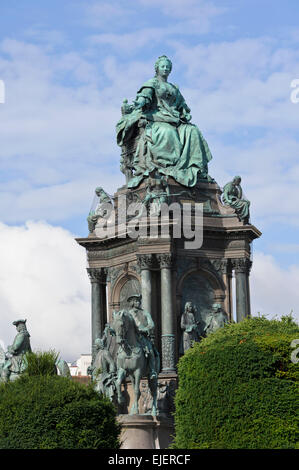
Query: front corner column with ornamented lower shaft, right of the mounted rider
column 167, row 313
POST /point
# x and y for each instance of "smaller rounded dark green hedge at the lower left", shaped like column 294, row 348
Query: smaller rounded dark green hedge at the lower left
column 53, row 412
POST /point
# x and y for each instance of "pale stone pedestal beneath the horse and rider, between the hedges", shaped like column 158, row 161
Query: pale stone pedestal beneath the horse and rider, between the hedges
column 145, row 432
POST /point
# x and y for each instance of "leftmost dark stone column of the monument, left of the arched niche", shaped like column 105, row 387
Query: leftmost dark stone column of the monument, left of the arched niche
column 97, row 278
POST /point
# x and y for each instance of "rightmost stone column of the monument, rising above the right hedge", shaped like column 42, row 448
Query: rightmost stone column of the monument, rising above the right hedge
column 242, row 268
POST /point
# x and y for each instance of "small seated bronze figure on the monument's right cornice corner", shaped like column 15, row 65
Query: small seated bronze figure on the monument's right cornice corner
column 233, row 196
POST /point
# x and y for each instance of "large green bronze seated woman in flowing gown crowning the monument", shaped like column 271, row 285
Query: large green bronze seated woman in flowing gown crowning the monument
column 170, row 144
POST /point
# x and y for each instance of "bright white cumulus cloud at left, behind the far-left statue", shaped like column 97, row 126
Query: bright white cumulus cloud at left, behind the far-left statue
column 43, row 279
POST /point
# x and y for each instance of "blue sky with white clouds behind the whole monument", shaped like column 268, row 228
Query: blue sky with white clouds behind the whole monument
column 68, row 65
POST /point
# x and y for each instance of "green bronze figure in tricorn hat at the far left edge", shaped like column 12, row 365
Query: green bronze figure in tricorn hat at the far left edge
column 13, row 363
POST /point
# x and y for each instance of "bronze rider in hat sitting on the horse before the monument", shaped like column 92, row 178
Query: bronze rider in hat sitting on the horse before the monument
column 145, row 327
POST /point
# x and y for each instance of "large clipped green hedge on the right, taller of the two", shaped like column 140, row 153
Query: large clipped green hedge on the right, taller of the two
column 239, row 389
